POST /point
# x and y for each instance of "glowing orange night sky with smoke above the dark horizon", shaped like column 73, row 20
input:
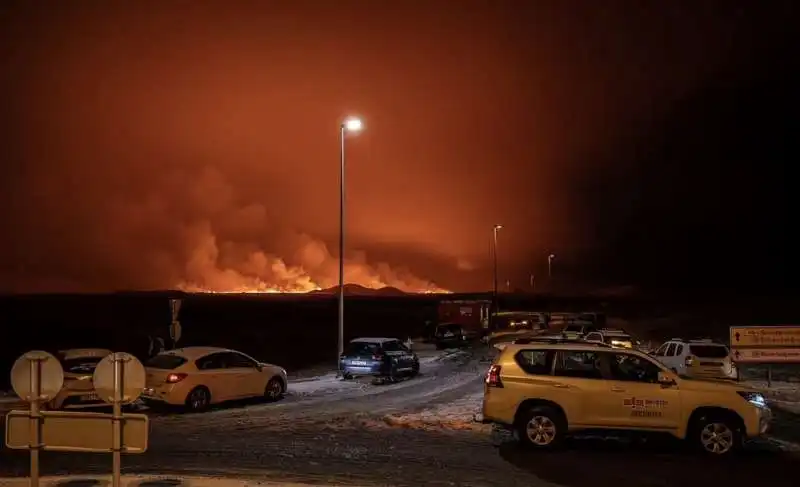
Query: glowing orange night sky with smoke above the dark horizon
column 194, row 144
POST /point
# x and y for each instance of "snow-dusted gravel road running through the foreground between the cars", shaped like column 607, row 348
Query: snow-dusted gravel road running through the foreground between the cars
column 330, row 431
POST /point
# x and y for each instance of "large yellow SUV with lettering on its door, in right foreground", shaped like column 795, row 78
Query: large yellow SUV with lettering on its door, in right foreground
column 545, row 390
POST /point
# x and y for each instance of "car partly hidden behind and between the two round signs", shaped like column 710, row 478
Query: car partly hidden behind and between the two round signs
column 78, row 389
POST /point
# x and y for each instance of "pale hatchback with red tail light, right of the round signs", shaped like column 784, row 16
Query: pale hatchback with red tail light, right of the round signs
column 197, row 377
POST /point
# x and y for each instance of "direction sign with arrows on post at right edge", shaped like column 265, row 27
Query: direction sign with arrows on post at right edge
column 766, row 345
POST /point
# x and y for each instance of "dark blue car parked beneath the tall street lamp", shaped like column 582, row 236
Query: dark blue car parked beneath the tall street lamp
column 385, row 358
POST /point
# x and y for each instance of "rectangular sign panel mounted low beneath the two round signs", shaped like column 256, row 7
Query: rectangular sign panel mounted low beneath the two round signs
column 77, row 431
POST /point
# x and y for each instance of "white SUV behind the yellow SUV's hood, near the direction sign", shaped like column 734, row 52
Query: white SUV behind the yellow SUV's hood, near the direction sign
column 697, row 358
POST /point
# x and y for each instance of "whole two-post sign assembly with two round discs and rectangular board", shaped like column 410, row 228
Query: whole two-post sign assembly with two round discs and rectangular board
column 118, row 379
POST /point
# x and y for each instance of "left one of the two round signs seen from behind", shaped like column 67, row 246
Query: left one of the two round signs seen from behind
column 46, row 367
